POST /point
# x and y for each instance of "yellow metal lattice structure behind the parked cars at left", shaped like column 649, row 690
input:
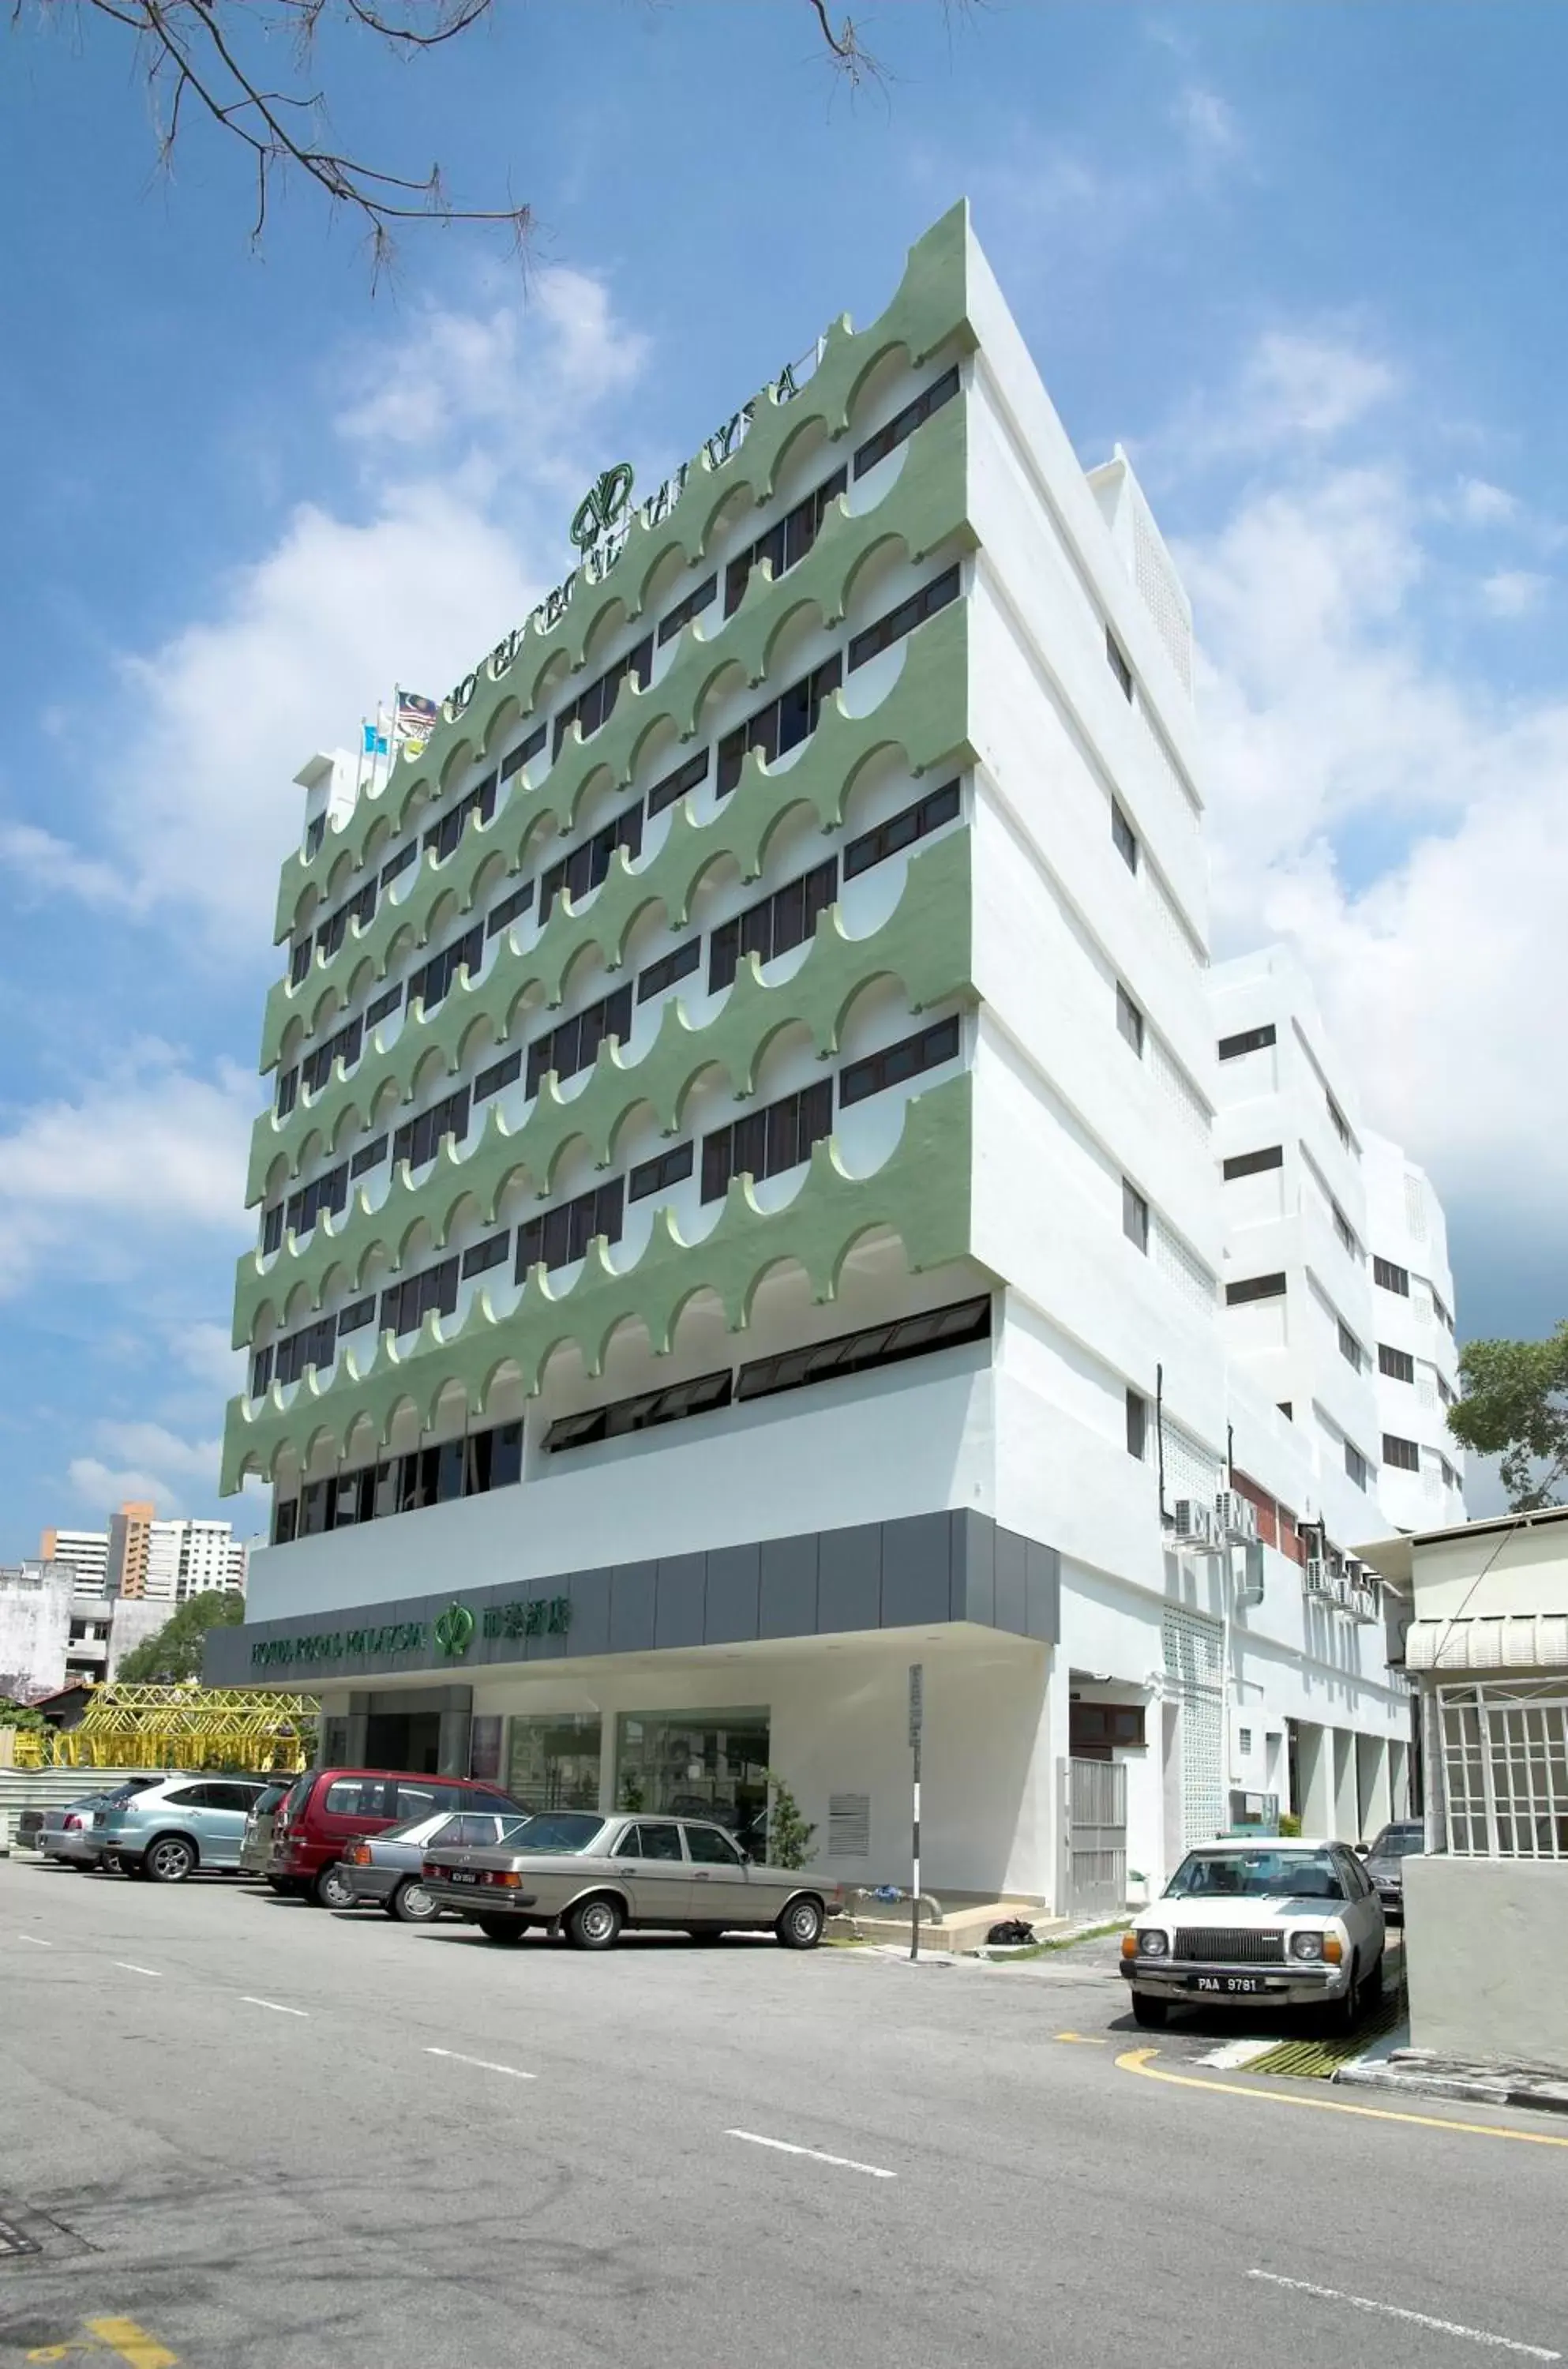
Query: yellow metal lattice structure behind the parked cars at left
column 186, row 1728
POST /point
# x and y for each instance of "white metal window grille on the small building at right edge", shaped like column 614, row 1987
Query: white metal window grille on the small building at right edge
column 1505, row 1771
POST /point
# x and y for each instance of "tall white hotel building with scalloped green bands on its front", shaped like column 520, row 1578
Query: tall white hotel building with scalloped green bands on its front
column 740, row 1207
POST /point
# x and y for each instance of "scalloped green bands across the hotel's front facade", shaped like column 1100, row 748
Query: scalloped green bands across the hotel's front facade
column 920, row 1193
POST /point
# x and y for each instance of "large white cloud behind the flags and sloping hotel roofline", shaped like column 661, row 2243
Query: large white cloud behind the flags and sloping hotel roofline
column 465, row 447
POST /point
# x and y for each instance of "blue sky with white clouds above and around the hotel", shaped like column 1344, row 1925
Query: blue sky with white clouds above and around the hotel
column 1304, row 262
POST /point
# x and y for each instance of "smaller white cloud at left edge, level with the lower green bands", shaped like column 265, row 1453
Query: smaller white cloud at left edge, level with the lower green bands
column 129, row 1164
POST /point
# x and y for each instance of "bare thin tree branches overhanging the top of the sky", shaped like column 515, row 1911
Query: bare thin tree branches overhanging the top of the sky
column 245, row 70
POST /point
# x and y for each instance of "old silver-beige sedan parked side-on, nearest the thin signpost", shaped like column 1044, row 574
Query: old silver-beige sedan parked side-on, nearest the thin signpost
column 589, row 1877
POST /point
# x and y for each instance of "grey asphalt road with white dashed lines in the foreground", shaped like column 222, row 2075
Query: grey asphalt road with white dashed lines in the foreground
column 248, row 2133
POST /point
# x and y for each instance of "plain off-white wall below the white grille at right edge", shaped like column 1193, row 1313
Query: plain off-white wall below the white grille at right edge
column 1486, row 1944
